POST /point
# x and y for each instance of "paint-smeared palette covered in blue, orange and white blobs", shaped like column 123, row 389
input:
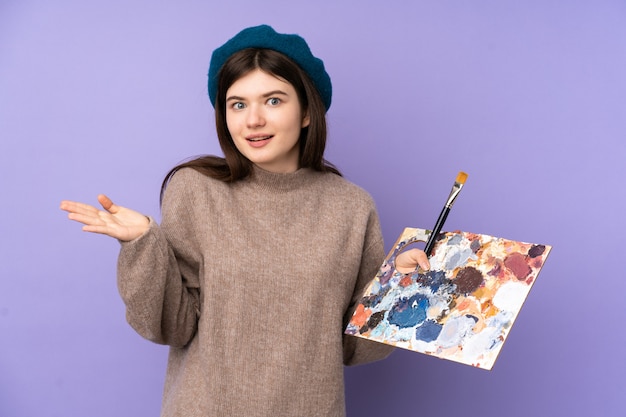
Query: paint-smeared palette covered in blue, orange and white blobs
column 462, row 309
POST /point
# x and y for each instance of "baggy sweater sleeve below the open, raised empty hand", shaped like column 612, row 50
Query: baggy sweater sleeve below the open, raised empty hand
column 158, row 273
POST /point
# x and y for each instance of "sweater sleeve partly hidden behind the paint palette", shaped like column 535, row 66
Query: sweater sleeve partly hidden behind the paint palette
column 357, row 351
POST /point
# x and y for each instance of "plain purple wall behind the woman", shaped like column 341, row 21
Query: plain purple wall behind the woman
column 527, row 97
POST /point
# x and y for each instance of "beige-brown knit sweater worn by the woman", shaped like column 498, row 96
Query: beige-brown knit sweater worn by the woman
column 252, row 284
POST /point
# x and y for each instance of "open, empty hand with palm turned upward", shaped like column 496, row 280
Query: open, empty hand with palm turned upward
column 115, row 221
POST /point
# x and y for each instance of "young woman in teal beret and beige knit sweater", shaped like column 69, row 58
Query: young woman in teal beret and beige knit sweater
column 261, row 255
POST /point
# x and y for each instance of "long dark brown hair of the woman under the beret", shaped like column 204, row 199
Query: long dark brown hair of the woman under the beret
column 234, row 166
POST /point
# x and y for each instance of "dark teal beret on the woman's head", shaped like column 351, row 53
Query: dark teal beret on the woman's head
column 293, row 46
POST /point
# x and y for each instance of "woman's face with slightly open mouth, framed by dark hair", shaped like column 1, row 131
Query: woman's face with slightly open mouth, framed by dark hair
column 264, row 118
